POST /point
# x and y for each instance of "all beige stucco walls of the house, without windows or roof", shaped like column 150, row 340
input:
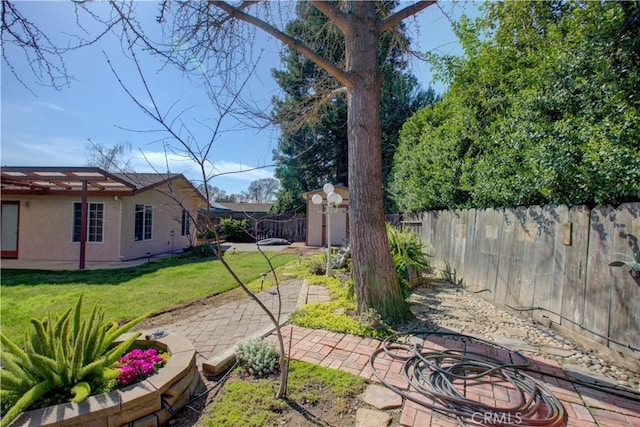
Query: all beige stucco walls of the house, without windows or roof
column 46, row 225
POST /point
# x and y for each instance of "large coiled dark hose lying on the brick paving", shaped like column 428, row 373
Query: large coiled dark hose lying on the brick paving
column 455, row 381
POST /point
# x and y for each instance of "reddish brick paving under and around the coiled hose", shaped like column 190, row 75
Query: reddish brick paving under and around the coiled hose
column 584, row 406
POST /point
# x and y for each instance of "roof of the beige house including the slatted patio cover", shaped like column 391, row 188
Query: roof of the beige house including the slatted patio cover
column 70, row 180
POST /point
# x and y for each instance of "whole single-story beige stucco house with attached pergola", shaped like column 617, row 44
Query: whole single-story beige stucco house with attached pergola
column 126, row 216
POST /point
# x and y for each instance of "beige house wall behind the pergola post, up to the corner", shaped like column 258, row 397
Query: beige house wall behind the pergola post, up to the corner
column 45, row 231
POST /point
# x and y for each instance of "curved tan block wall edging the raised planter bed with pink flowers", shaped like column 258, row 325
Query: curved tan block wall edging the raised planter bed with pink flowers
column 149, row 403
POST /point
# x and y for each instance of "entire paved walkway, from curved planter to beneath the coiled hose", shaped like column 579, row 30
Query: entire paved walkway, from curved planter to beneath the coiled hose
column 215, row 333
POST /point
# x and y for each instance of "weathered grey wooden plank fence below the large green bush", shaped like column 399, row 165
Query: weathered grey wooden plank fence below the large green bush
column 573, row 268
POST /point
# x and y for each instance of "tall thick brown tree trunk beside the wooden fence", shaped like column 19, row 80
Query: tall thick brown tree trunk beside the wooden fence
column 376, row 282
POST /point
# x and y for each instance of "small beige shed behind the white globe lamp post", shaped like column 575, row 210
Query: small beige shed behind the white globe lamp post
column 317, row 221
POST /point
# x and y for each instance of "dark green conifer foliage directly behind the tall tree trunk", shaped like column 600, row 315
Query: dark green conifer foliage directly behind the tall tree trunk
column 313, row 145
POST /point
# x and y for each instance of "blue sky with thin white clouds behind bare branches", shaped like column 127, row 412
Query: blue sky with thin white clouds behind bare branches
column 53, row 127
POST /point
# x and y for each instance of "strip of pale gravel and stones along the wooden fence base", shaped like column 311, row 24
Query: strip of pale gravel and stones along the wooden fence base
column 443, row 305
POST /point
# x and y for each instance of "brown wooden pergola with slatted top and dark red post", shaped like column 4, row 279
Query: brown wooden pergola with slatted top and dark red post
column 65, row 181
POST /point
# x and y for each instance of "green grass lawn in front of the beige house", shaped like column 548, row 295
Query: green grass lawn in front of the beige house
column 123, row 293
